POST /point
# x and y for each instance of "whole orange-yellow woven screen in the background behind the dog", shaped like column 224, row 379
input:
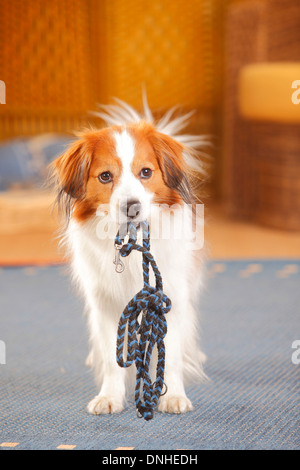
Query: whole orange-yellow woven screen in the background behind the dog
column 60, row 58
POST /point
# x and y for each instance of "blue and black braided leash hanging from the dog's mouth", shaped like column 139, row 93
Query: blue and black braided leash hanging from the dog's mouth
column 153, row 304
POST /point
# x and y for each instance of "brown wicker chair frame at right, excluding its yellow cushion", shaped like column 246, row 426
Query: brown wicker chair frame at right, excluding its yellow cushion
column 261, row 159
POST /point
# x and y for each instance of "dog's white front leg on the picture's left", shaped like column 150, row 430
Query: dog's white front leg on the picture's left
column 111, row 396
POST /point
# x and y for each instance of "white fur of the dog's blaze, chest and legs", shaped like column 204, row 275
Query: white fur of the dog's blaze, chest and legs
column 107, row 292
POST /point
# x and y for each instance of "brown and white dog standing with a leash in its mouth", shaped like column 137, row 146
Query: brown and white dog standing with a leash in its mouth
column 134, row 169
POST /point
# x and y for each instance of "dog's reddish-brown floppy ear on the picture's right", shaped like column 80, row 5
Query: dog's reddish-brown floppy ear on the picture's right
column 170, row 158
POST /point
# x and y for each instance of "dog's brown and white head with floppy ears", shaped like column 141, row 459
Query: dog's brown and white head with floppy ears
column 123, row 169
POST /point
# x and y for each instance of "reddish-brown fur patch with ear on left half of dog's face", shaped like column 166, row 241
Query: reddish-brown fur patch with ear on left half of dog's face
column 76, row 173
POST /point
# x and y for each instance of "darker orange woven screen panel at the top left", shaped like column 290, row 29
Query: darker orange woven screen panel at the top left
column 46, row 64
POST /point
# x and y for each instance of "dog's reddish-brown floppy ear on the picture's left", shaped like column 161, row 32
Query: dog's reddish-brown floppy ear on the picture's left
column 70, row 173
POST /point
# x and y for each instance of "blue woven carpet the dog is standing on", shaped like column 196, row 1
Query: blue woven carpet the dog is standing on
column 250, row 318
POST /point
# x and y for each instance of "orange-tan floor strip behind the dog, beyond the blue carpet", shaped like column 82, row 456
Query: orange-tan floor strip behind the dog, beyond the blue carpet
column 32, row 237
